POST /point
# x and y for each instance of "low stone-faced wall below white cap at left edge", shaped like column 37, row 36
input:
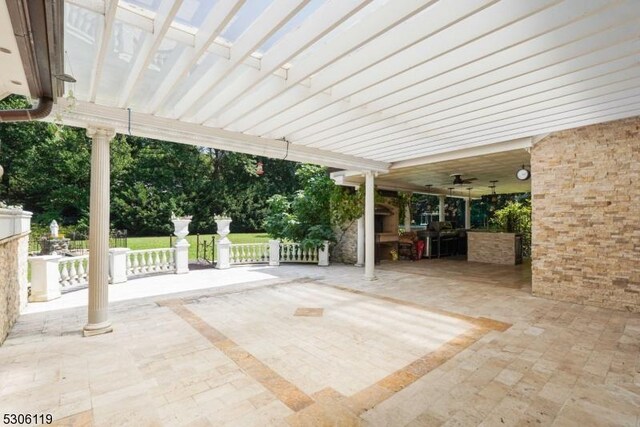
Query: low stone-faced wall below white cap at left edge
column 13, row 280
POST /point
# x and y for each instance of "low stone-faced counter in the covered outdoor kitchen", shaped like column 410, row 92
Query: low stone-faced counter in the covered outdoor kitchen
column 494, row 248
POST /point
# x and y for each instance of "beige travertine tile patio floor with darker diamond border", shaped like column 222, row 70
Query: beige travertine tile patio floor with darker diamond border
column 438, row 342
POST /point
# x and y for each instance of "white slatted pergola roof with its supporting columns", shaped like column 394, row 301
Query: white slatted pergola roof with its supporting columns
column 375, row 87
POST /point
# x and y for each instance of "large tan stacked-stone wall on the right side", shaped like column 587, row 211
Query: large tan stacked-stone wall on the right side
column 586, row 220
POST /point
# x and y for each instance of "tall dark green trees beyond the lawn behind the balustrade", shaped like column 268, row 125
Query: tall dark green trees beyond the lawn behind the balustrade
column 47, row 170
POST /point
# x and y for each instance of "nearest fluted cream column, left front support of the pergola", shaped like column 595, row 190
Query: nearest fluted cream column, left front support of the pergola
column 99, row 322
